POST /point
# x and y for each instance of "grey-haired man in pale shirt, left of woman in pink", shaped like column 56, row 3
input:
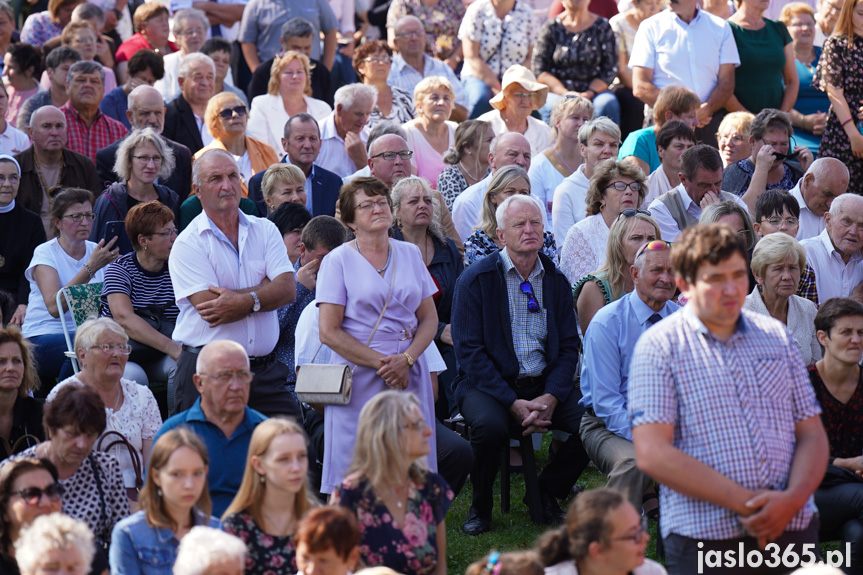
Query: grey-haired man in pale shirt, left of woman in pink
column 343, row 140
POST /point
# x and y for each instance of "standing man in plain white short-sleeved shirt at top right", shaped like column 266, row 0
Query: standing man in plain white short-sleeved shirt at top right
column 688, row 46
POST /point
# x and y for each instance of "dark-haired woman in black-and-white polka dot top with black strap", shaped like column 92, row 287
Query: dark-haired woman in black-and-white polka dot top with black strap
column 92, row 481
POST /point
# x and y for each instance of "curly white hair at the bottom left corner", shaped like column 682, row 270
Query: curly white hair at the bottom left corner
column 53, row 532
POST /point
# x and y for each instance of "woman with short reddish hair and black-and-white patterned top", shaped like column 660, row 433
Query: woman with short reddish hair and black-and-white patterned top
column 372, row 63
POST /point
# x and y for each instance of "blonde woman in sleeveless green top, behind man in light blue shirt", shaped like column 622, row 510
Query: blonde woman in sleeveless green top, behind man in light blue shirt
column 612, row 280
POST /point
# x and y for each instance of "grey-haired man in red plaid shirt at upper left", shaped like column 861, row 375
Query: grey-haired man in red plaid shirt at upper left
column 89, row 130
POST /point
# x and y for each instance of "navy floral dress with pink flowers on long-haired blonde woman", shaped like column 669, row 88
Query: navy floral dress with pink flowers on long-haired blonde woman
column 410, row 549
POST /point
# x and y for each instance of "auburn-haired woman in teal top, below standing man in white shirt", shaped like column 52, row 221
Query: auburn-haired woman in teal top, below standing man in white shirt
column 673, row 103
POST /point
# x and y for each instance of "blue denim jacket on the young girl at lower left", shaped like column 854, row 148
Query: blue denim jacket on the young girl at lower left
column 137, row 548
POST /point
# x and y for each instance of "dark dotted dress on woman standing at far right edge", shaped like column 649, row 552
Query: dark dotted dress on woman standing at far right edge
column 839, row 66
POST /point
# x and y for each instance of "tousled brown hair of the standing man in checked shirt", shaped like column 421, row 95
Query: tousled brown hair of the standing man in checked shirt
column 700, row 244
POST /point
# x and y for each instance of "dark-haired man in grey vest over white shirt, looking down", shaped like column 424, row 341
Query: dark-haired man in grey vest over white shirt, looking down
column 700, row 186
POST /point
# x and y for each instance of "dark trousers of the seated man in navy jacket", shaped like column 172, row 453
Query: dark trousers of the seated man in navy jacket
column 490, row 429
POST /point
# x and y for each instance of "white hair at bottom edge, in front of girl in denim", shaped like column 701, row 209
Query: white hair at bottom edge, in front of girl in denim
column 203, row 547
